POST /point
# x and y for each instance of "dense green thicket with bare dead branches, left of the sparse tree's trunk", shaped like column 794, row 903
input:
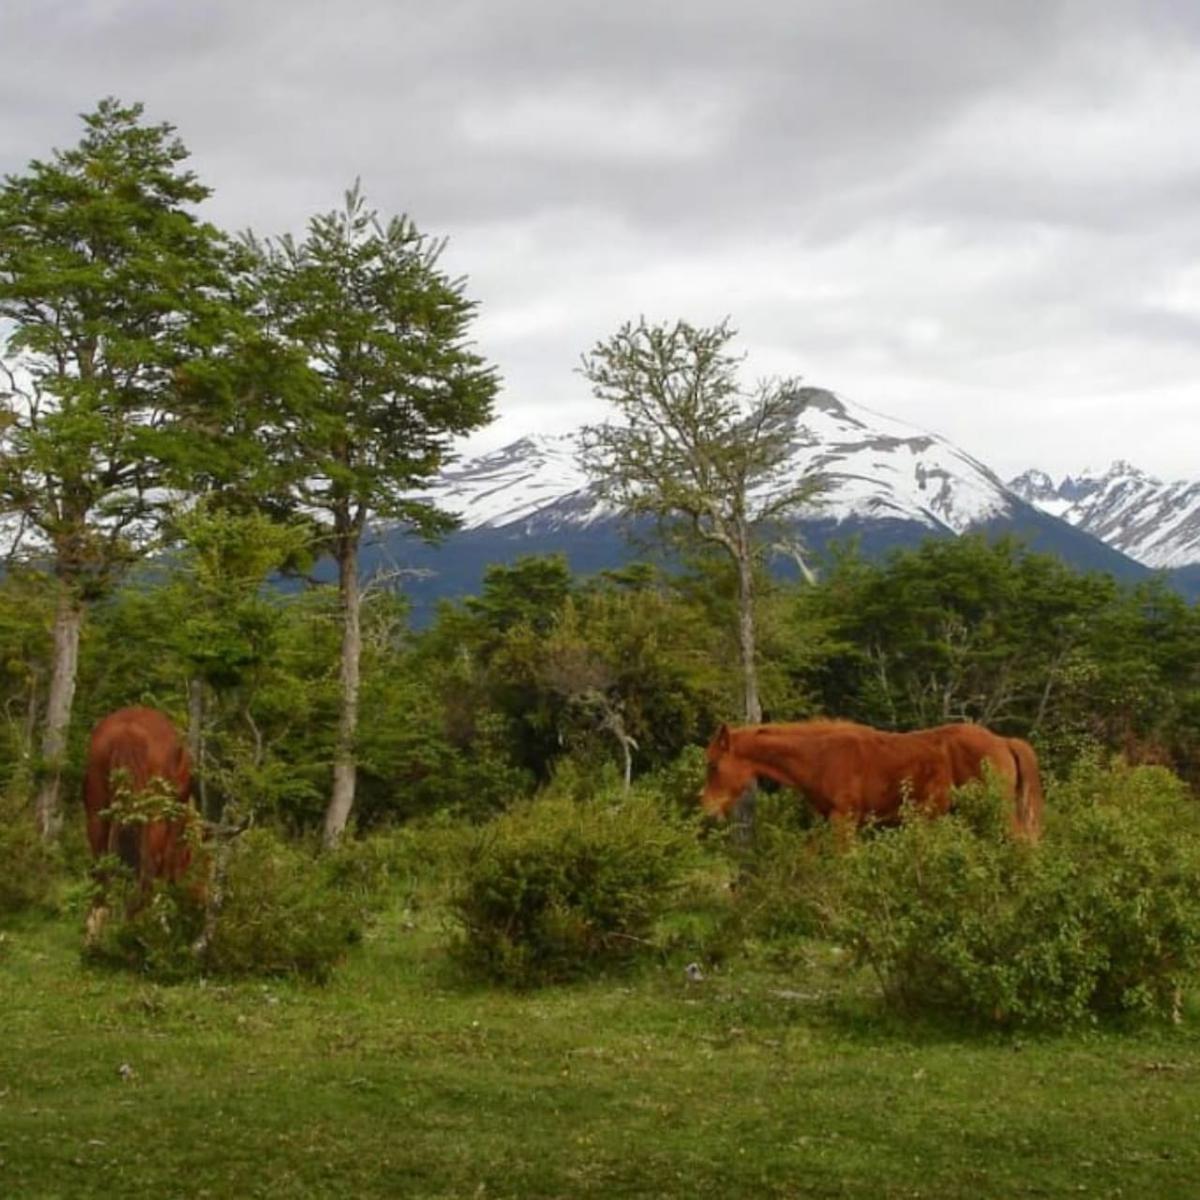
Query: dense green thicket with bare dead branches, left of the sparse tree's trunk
column 555, row 667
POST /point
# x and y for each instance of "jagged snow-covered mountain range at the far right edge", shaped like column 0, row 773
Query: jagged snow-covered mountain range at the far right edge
column 1156, row 524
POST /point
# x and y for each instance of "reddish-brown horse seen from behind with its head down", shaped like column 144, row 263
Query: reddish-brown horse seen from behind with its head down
column 129, row 752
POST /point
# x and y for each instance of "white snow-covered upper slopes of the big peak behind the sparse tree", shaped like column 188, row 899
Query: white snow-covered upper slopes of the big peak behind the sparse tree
column 874, row 466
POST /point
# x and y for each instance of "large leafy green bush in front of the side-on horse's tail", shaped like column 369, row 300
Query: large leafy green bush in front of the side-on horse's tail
column 1102, row 919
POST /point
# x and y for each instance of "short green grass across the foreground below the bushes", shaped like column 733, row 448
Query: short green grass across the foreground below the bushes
column 400, row 1079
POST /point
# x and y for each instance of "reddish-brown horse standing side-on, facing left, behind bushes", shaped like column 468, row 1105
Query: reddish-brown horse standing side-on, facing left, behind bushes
column 855, row 773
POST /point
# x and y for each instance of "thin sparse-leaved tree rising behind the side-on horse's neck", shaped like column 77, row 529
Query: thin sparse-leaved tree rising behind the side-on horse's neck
column 697, row 453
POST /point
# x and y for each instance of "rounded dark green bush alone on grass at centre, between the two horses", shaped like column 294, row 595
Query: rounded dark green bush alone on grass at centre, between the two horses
column 557, row 889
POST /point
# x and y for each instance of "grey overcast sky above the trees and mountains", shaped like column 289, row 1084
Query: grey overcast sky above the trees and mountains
column 980, row 217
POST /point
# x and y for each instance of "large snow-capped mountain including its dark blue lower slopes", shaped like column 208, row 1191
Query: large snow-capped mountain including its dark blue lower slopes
column 889, row 485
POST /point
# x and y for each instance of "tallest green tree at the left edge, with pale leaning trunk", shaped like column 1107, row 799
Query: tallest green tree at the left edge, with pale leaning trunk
column 110, row 289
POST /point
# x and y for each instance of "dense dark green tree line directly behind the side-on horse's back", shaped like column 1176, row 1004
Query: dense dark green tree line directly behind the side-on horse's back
column 987, row 631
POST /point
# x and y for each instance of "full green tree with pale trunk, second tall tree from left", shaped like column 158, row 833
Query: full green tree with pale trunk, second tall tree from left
column 392, row 381
